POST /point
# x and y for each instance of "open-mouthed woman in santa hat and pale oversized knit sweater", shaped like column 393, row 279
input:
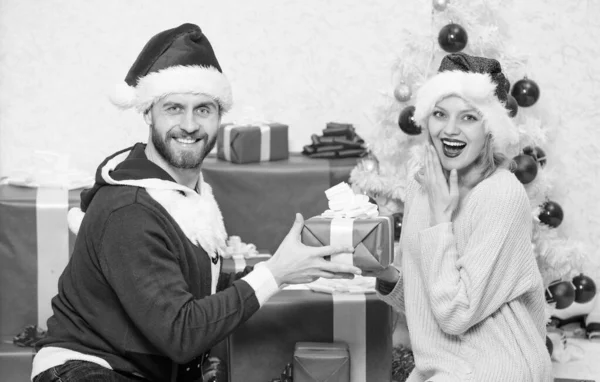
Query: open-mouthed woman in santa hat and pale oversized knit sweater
column 469, row 283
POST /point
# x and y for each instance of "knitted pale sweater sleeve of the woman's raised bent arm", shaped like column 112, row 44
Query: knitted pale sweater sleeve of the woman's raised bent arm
column 496, row 266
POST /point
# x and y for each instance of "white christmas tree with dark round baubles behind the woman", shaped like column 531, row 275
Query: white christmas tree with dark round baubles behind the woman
column 475, row 28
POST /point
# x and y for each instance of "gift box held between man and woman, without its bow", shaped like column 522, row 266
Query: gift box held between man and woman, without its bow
column 371, row 238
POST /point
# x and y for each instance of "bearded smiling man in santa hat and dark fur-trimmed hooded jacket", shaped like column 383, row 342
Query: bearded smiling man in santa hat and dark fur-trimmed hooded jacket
column 142, row 296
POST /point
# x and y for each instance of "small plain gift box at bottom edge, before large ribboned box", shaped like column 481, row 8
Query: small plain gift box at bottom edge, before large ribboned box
column 321, row 362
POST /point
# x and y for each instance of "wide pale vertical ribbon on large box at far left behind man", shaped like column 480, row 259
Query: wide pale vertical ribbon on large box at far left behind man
column 52, row 246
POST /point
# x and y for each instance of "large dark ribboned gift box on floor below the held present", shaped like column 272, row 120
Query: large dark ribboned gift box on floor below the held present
column 261, row 348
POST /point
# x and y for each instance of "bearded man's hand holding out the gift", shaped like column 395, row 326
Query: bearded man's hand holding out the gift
column 296, row 263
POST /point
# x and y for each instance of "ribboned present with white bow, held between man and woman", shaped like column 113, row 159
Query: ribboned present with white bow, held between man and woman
column 353, row 221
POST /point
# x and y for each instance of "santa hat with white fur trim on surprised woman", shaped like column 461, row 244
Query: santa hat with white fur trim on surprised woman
column 480, row 82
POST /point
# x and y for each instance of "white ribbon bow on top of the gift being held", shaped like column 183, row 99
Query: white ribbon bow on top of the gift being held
column 344, row 203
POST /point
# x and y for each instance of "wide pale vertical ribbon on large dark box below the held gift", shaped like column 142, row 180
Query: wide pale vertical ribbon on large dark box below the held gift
column 350, row 326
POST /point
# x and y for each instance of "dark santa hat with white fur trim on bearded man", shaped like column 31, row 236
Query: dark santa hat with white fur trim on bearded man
column 178, row 60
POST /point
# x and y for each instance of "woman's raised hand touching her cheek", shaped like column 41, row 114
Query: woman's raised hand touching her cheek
column 443, row 194
